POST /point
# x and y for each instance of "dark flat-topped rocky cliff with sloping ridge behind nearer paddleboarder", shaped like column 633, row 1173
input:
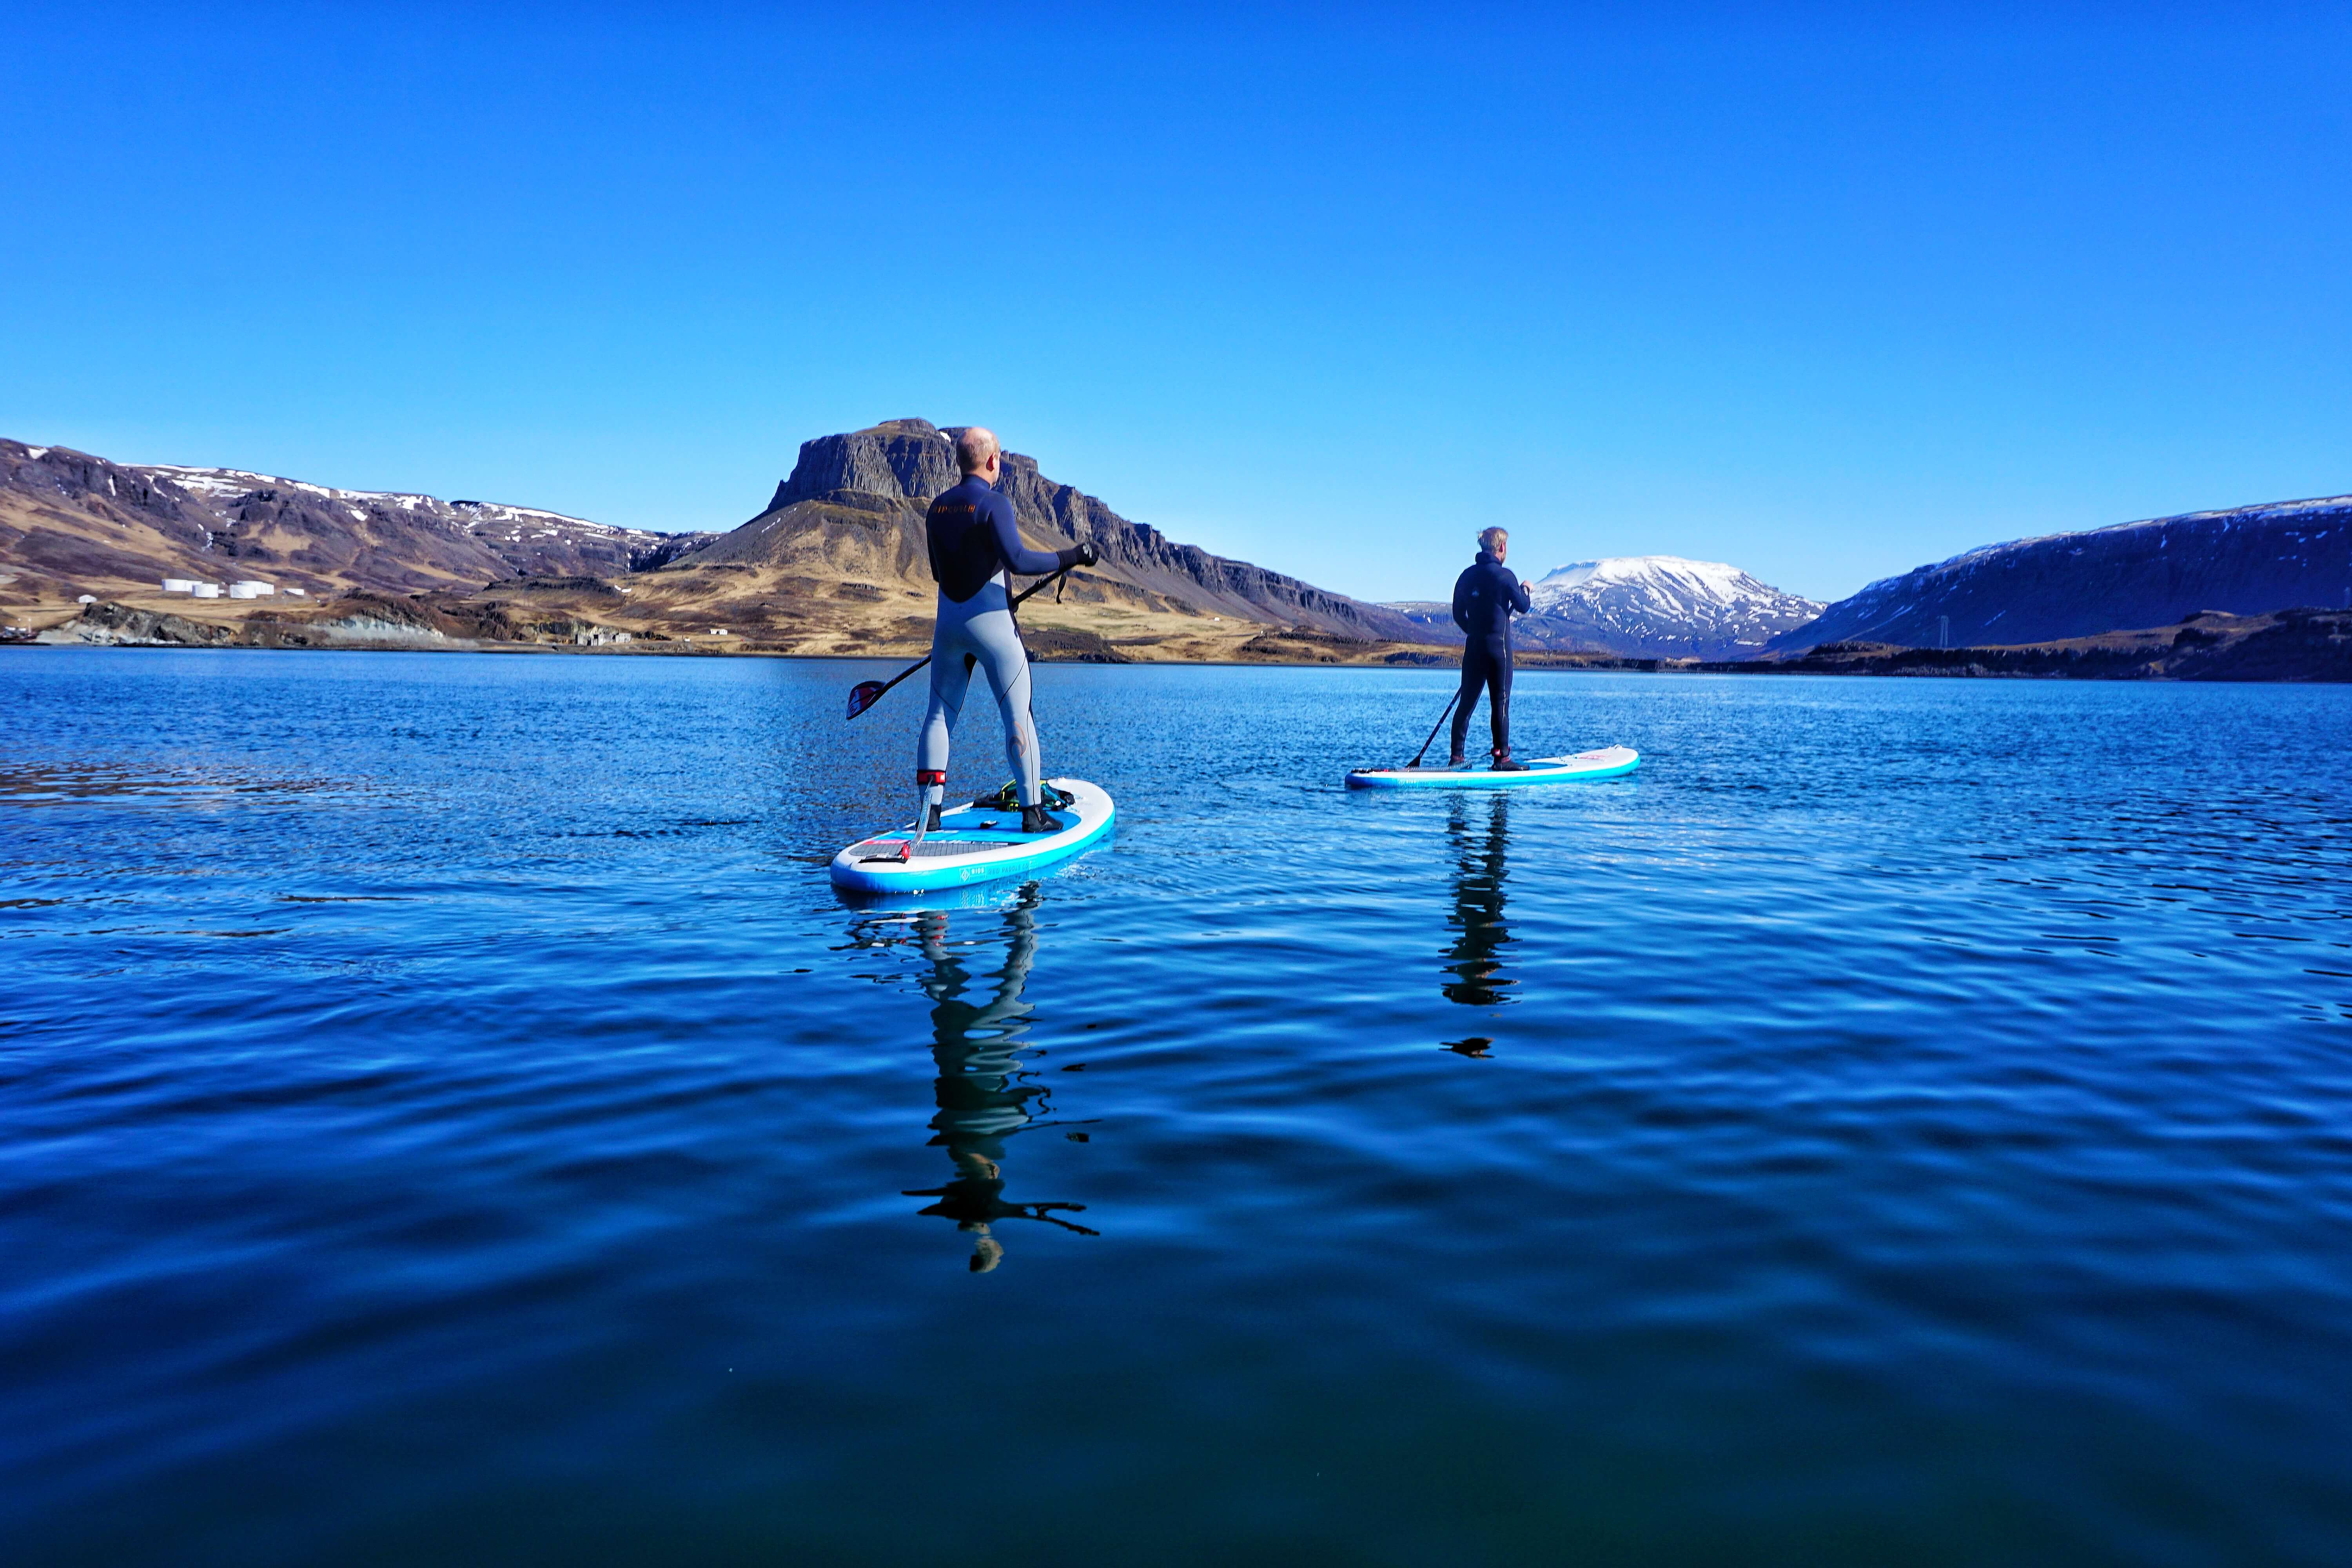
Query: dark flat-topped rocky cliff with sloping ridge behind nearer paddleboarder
column 855, row 507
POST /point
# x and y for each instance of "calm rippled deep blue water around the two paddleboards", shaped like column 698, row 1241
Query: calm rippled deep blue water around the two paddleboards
column 446, row 1115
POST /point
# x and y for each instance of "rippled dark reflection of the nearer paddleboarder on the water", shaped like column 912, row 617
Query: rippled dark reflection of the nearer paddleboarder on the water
column 982, row 1087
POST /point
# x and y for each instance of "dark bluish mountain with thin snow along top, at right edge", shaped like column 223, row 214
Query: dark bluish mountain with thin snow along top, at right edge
column 2247, row 561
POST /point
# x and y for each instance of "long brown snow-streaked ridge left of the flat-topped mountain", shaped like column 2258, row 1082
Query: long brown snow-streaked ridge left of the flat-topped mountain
column 79, row 523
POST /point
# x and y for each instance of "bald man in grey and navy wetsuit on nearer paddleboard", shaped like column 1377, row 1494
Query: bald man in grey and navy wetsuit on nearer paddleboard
column 973, row 547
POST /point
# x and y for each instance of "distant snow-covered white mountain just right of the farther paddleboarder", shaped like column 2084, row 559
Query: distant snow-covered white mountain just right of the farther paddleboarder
column 1662, row 608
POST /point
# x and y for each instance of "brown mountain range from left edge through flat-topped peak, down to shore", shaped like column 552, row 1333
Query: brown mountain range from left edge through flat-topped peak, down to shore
column 834, row 565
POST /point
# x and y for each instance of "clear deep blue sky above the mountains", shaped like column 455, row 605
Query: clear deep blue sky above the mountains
column 1824, row 293
